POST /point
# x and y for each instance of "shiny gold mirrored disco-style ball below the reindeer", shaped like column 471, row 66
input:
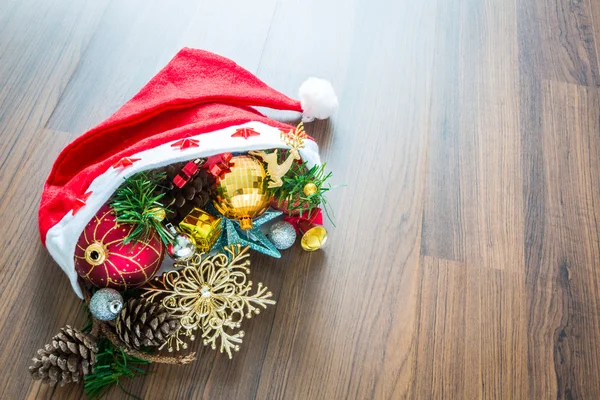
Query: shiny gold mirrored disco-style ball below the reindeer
column 242, row 193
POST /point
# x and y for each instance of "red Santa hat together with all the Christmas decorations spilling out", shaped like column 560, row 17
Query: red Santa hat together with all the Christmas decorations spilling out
column 154, row 213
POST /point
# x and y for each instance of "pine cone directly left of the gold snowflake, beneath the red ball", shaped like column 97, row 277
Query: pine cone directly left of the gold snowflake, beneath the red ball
column 145, row 323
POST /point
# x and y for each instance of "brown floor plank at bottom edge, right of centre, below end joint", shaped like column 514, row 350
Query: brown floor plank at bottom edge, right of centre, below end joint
column 471, row 332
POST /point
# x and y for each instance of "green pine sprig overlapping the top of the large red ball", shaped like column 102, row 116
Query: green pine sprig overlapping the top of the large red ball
column 137, row 202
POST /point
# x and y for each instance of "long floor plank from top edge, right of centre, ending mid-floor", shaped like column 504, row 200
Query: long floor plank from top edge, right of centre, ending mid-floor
column 473, row 207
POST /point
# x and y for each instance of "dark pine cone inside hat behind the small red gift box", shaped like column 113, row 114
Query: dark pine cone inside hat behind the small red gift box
column 196, row 193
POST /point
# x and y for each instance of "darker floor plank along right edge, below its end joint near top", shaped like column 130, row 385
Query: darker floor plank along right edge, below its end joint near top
column 562, row 278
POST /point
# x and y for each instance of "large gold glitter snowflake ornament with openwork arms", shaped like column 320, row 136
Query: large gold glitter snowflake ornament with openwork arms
column 210, row 293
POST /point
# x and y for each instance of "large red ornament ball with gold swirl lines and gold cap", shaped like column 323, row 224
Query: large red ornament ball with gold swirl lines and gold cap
column 103, row 260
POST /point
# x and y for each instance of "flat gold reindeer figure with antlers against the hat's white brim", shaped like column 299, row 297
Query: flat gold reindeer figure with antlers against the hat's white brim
column 295, row 139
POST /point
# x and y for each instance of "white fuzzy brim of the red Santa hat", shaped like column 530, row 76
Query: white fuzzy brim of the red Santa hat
column 62, row 238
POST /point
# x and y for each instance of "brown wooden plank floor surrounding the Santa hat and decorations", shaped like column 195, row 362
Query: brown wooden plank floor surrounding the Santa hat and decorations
column 465, row 261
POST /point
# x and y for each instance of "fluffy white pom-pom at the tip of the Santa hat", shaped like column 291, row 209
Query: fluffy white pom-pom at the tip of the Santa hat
column 317, row 98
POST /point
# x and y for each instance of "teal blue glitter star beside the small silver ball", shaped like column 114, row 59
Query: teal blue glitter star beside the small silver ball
column 231, row 233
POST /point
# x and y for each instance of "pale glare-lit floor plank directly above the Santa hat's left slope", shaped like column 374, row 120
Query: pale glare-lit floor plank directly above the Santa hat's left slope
column 122, row 56
